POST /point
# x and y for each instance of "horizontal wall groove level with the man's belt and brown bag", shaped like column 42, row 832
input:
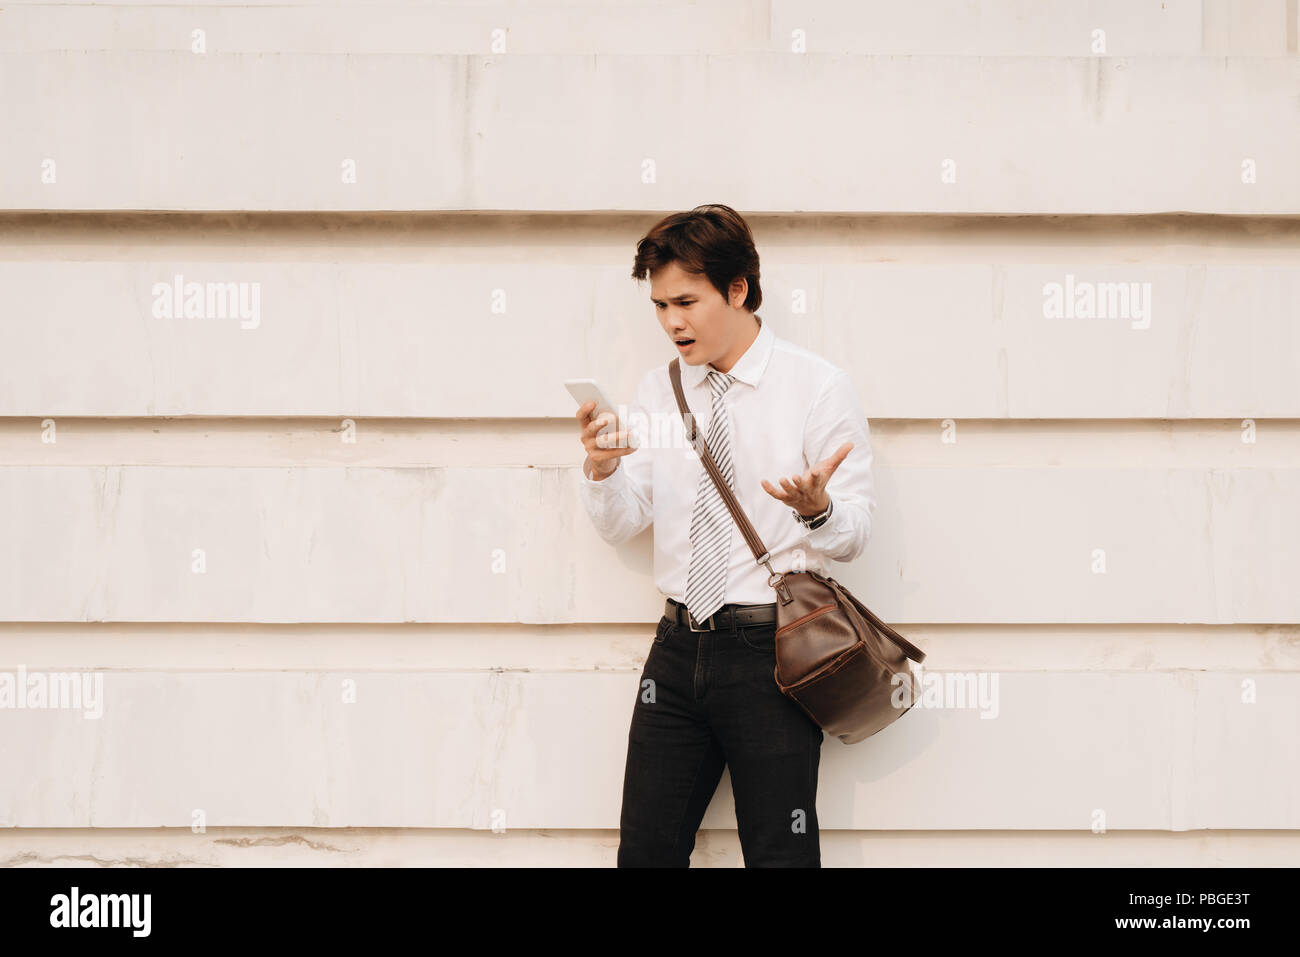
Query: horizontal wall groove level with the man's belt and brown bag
column 616, row 648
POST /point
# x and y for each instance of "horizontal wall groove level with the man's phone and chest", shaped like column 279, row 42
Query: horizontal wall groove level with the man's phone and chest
column 554, row 443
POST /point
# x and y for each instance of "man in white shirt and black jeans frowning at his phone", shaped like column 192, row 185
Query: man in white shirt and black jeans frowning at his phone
column 782, row 423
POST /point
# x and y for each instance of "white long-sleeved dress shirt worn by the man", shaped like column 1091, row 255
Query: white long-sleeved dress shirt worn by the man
column 790, row 409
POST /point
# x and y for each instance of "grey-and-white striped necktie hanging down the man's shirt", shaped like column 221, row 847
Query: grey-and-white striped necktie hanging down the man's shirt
column 712, row 525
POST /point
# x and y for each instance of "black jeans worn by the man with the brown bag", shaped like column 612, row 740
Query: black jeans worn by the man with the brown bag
column 708, row 700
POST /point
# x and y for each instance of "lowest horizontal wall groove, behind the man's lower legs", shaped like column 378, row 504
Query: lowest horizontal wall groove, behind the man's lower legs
column 133, row 847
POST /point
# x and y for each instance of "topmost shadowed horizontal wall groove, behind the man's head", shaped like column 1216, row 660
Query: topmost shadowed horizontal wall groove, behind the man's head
column 600, row 239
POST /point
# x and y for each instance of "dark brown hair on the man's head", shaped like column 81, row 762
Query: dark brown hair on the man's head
column 710, row 241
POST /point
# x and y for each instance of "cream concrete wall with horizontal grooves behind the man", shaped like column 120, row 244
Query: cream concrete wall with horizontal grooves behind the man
column 324, row 558
